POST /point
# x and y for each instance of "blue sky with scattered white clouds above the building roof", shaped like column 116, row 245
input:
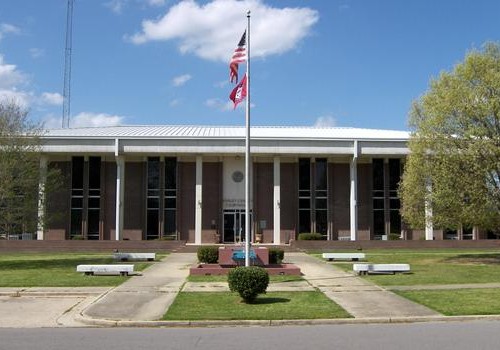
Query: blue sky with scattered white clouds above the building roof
column 334, row 63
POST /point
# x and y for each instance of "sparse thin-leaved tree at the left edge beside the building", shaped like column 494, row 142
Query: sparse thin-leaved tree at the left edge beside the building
column 20, row 147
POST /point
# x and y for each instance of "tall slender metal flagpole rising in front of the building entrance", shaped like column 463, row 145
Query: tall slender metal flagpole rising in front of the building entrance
column 247, row 151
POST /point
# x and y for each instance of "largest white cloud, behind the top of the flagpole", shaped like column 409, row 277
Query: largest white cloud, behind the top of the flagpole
column 211, row 31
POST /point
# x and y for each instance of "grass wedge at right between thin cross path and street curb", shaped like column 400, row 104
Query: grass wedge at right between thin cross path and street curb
column 458, row 302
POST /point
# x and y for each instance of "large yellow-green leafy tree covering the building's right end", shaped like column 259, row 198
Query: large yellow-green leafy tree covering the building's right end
column 455, row 146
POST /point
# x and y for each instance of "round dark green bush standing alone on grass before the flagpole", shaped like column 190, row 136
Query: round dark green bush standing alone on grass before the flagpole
column 248, row 282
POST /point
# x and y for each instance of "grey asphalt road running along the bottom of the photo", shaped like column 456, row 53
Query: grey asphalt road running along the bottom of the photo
column 475, row 335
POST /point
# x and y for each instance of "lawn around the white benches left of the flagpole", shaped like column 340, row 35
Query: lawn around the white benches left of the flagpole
column 56, row 270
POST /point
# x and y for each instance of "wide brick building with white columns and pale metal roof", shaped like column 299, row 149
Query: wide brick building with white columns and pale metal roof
column 187, row 183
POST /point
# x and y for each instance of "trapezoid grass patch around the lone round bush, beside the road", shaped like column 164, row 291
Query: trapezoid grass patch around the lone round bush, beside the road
column 270, row 306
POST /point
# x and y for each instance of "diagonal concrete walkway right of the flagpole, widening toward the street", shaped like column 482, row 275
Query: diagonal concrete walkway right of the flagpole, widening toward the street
column 357, row 296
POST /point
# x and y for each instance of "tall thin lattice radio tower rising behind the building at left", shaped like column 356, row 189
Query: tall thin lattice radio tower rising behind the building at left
column 67, row 66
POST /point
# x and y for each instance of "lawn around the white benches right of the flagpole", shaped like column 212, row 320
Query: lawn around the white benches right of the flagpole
column 435, row 266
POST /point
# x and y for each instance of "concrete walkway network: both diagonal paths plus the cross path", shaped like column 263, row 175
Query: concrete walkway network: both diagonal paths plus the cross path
column 146, row 297
